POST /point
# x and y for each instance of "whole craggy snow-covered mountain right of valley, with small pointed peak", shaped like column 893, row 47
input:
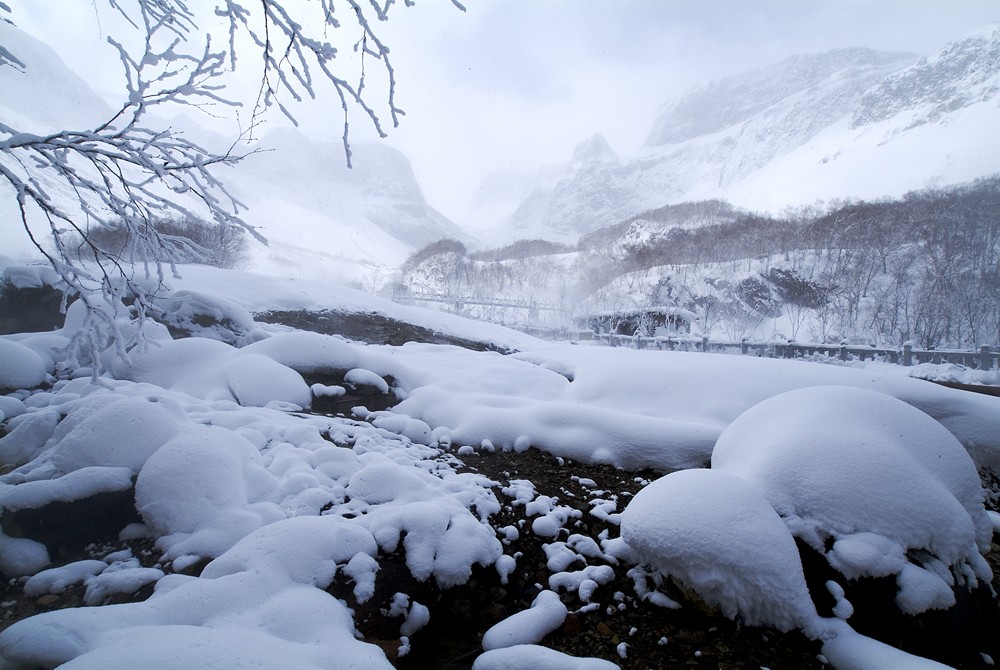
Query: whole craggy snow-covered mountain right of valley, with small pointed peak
column 846, row 123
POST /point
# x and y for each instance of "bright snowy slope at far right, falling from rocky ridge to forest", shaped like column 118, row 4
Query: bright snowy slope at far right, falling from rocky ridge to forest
column 931, row 124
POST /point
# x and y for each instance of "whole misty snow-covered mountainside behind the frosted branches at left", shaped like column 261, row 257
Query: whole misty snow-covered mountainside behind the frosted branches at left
column 322, row 220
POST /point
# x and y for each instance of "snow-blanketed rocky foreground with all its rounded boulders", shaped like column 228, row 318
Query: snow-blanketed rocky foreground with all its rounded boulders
column 262, row 521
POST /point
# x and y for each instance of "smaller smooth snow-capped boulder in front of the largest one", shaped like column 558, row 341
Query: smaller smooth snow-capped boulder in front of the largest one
column 716, row 534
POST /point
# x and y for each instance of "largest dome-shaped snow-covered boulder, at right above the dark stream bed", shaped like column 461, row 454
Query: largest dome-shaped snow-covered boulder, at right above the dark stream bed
column 874, row 476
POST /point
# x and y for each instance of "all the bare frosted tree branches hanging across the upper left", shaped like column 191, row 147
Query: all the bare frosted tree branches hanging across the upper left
column 125, row 173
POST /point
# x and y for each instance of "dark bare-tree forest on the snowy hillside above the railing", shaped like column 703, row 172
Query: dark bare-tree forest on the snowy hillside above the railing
column 923, row 268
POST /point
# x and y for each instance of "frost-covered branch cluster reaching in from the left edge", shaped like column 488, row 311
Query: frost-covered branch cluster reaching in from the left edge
column 122, row 174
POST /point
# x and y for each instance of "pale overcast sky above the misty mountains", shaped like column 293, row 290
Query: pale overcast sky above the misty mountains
column 516, row 84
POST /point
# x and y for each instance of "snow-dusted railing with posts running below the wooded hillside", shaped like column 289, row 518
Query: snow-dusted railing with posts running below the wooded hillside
column 985, row 358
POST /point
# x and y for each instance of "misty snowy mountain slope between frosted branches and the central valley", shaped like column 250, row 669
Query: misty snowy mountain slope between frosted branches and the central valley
column 325, row 221
